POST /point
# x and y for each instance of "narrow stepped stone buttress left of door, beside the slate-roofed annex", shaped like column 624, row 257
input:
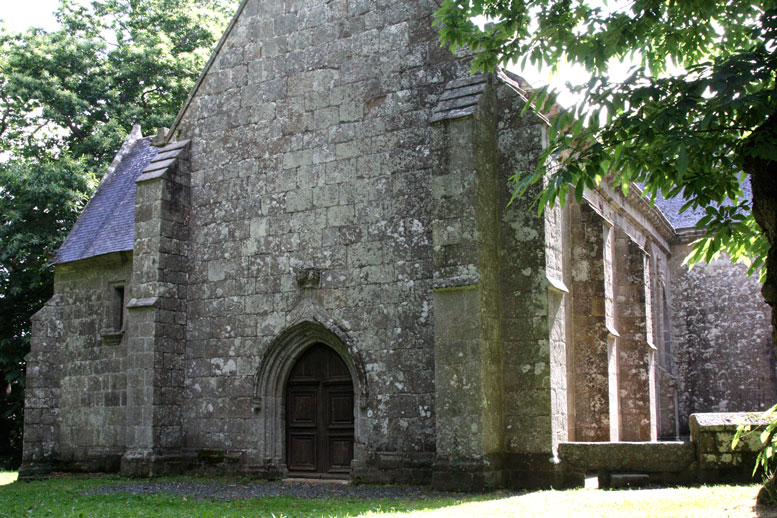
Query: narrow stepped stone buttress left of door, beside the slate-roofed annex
column 157, row 316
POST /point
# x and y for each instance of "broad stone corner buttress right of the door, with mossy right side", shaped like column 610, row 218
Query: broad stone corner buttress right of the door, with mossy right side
column 500, row 377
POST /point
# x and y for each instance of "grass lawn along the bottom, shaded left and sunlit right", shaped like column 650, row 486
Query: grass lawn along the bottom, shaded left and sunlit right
column 65, row 497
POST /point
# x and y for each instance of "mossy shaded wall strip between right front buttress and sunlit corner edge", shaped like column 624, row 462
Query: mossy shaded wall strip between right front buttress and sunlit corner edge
column 532, row 419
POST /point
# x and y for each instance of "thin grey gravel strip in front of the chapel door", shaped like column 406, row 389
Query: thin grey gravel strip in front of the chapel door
column 261, row 489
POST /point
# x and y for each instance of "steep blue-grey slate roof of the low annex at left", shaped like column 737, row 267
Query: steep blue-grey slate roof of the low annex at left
column 107, row 223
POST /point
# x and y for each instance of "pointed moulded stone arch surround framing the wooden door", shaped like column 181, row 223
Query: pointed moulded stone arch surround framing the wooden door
column 270, row 390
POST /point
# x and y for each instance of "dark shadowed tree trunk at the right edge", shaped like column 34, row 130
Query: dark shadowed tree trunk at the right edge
column 763, row 179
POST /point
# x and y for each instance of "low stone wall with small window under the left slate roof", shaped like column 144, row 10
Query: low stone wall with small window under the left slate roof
column 92, row 354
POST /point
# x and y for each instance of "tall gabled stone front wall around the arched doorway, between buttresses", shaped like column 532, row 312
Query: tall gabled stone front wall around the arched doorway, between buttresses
column 310, row 150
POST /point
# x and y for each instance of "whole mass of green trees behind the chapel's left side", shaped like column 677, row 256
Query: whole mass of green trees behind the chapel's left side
column 68, row 98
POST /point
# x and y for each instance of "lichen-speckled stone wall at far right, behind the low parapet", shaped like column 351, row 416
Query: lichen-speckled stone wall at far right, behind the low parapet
column 723, row 349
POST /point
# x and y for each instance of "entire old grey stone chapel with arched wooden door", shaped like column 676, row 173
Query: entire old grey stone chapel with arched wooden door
column 316, row 273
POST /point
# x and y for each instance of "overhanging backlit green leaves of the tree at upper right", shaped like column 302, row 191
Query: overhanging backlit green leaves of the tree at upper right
column 693, row 118
